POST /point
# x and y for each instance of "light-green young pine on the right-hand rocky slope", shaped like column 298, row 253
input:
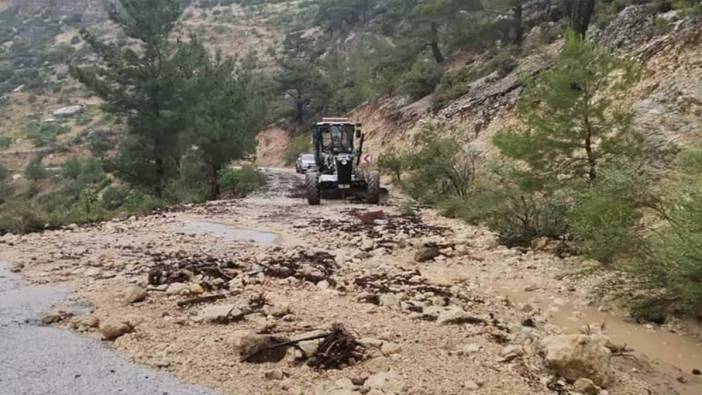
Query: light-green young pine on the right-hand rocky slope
column 572, row 123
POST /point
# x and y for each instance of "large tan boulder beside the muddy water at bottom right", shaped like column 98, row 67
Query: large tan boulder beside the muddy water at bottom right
column 579, row 356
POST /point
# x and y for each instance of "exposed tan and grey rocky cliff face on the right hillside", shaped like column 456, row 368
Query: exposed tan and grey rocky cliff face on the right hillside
column 667, row 101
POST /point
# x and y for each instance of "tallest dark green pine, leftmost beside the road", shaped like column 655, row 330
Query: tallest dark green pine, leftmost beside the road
column 141, row 84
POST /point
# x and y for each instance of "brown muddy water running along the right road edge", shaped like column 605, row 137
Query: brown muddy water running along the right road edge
column 670, row 353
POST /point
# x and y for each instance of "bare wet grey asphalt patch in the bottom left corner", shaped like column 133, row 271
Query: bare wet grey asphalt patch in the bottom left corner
column 38, row 360
